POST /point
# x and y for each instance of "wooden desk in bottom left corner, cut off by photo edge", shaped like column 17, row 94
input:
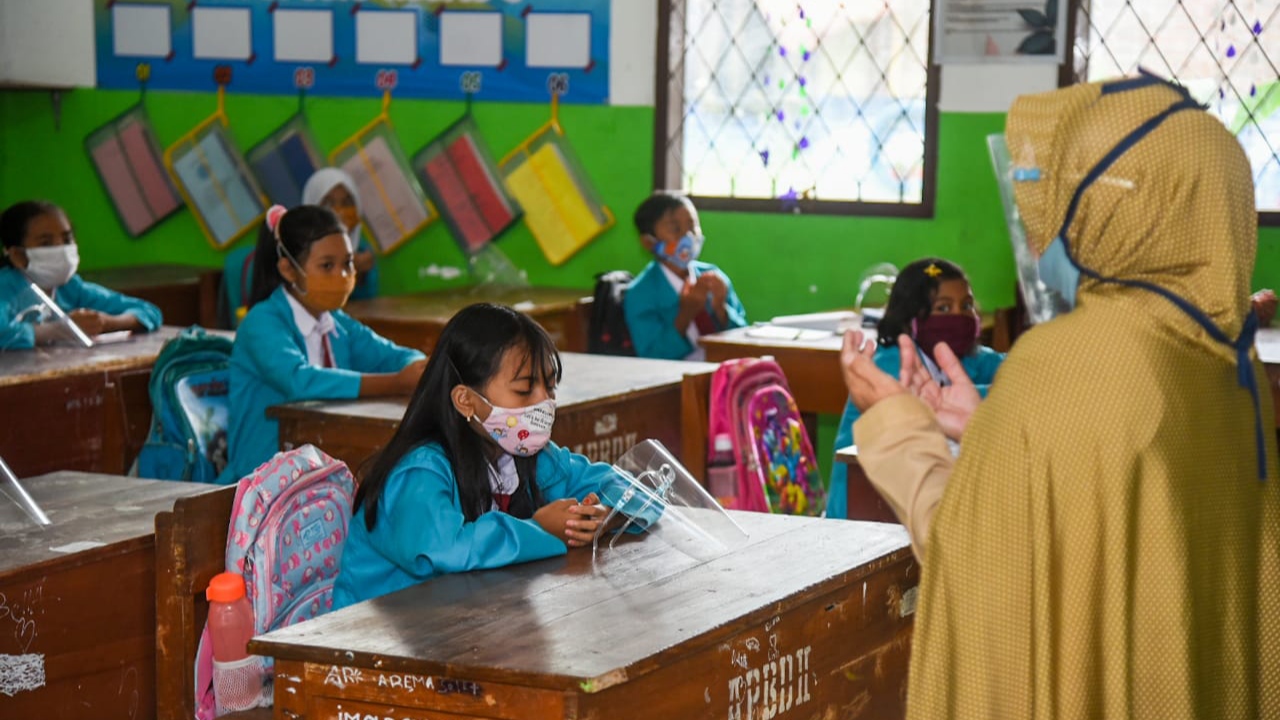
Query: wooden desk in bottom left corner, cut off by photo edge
column 77, row 599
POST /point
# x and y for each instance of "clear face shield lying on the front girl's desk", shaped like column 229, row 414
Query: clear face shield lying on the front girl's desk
column 656, row 494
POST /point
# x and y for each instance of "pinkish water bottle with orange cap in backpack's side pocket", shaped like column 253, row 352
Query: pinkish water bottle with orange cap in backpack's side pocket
column 239, row 677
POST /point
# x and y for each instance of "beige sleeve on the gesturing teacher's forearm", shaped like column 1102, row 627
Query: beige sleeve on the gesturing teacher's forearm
column 906, row 457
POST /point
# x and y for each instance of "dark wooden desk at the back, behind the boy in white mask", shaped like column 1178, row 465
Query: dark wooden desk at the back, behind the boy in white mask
column 188, row 295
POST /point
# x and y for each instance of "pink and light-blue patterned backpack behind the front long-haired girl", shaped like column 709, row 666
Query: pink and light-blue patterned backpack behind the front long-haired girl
column 286, row 537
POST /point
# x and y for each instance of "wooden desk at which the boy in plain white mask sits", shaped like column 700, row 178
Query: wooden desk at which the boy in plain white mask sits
column 75, row 409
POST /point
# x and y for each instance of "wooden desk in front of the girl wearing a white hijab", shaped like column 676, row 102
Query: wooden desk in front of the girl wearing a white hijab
column 417, row 321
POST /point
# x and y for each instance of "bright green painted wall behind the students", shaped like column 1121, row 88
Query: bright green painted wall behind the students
column 781, row 263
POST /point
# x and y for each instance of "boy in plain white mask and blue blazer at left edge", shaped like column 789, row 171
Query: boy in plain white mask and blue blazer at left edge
column 40, row 248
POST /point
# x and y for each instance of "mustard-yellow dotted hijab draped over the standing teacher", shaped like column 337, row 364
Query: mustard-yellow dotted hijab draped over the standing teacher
column 1105, row 548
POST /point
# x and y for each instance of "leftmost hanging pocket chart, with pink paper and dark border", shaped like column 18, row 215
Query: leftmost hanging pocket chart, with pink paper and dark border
column 127, row 160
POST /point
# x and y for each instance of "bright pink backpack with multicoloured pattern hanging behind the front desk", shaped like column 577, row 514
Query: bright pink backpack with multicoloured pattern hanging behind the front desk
column 771, row 455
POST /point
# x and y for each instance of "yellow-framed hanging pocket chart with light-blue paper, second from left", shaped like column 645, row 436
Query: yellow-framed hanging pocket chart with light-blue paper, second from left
column 216, row 181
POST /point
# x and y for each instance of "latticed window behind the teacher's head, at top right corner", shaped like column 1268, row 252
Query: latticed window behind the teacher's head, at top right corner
column 1224, row 52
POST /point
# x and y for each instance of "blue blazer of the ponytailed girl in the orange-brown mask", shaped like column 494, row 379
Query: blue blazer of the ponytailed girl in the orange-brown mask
column 269, row 367
